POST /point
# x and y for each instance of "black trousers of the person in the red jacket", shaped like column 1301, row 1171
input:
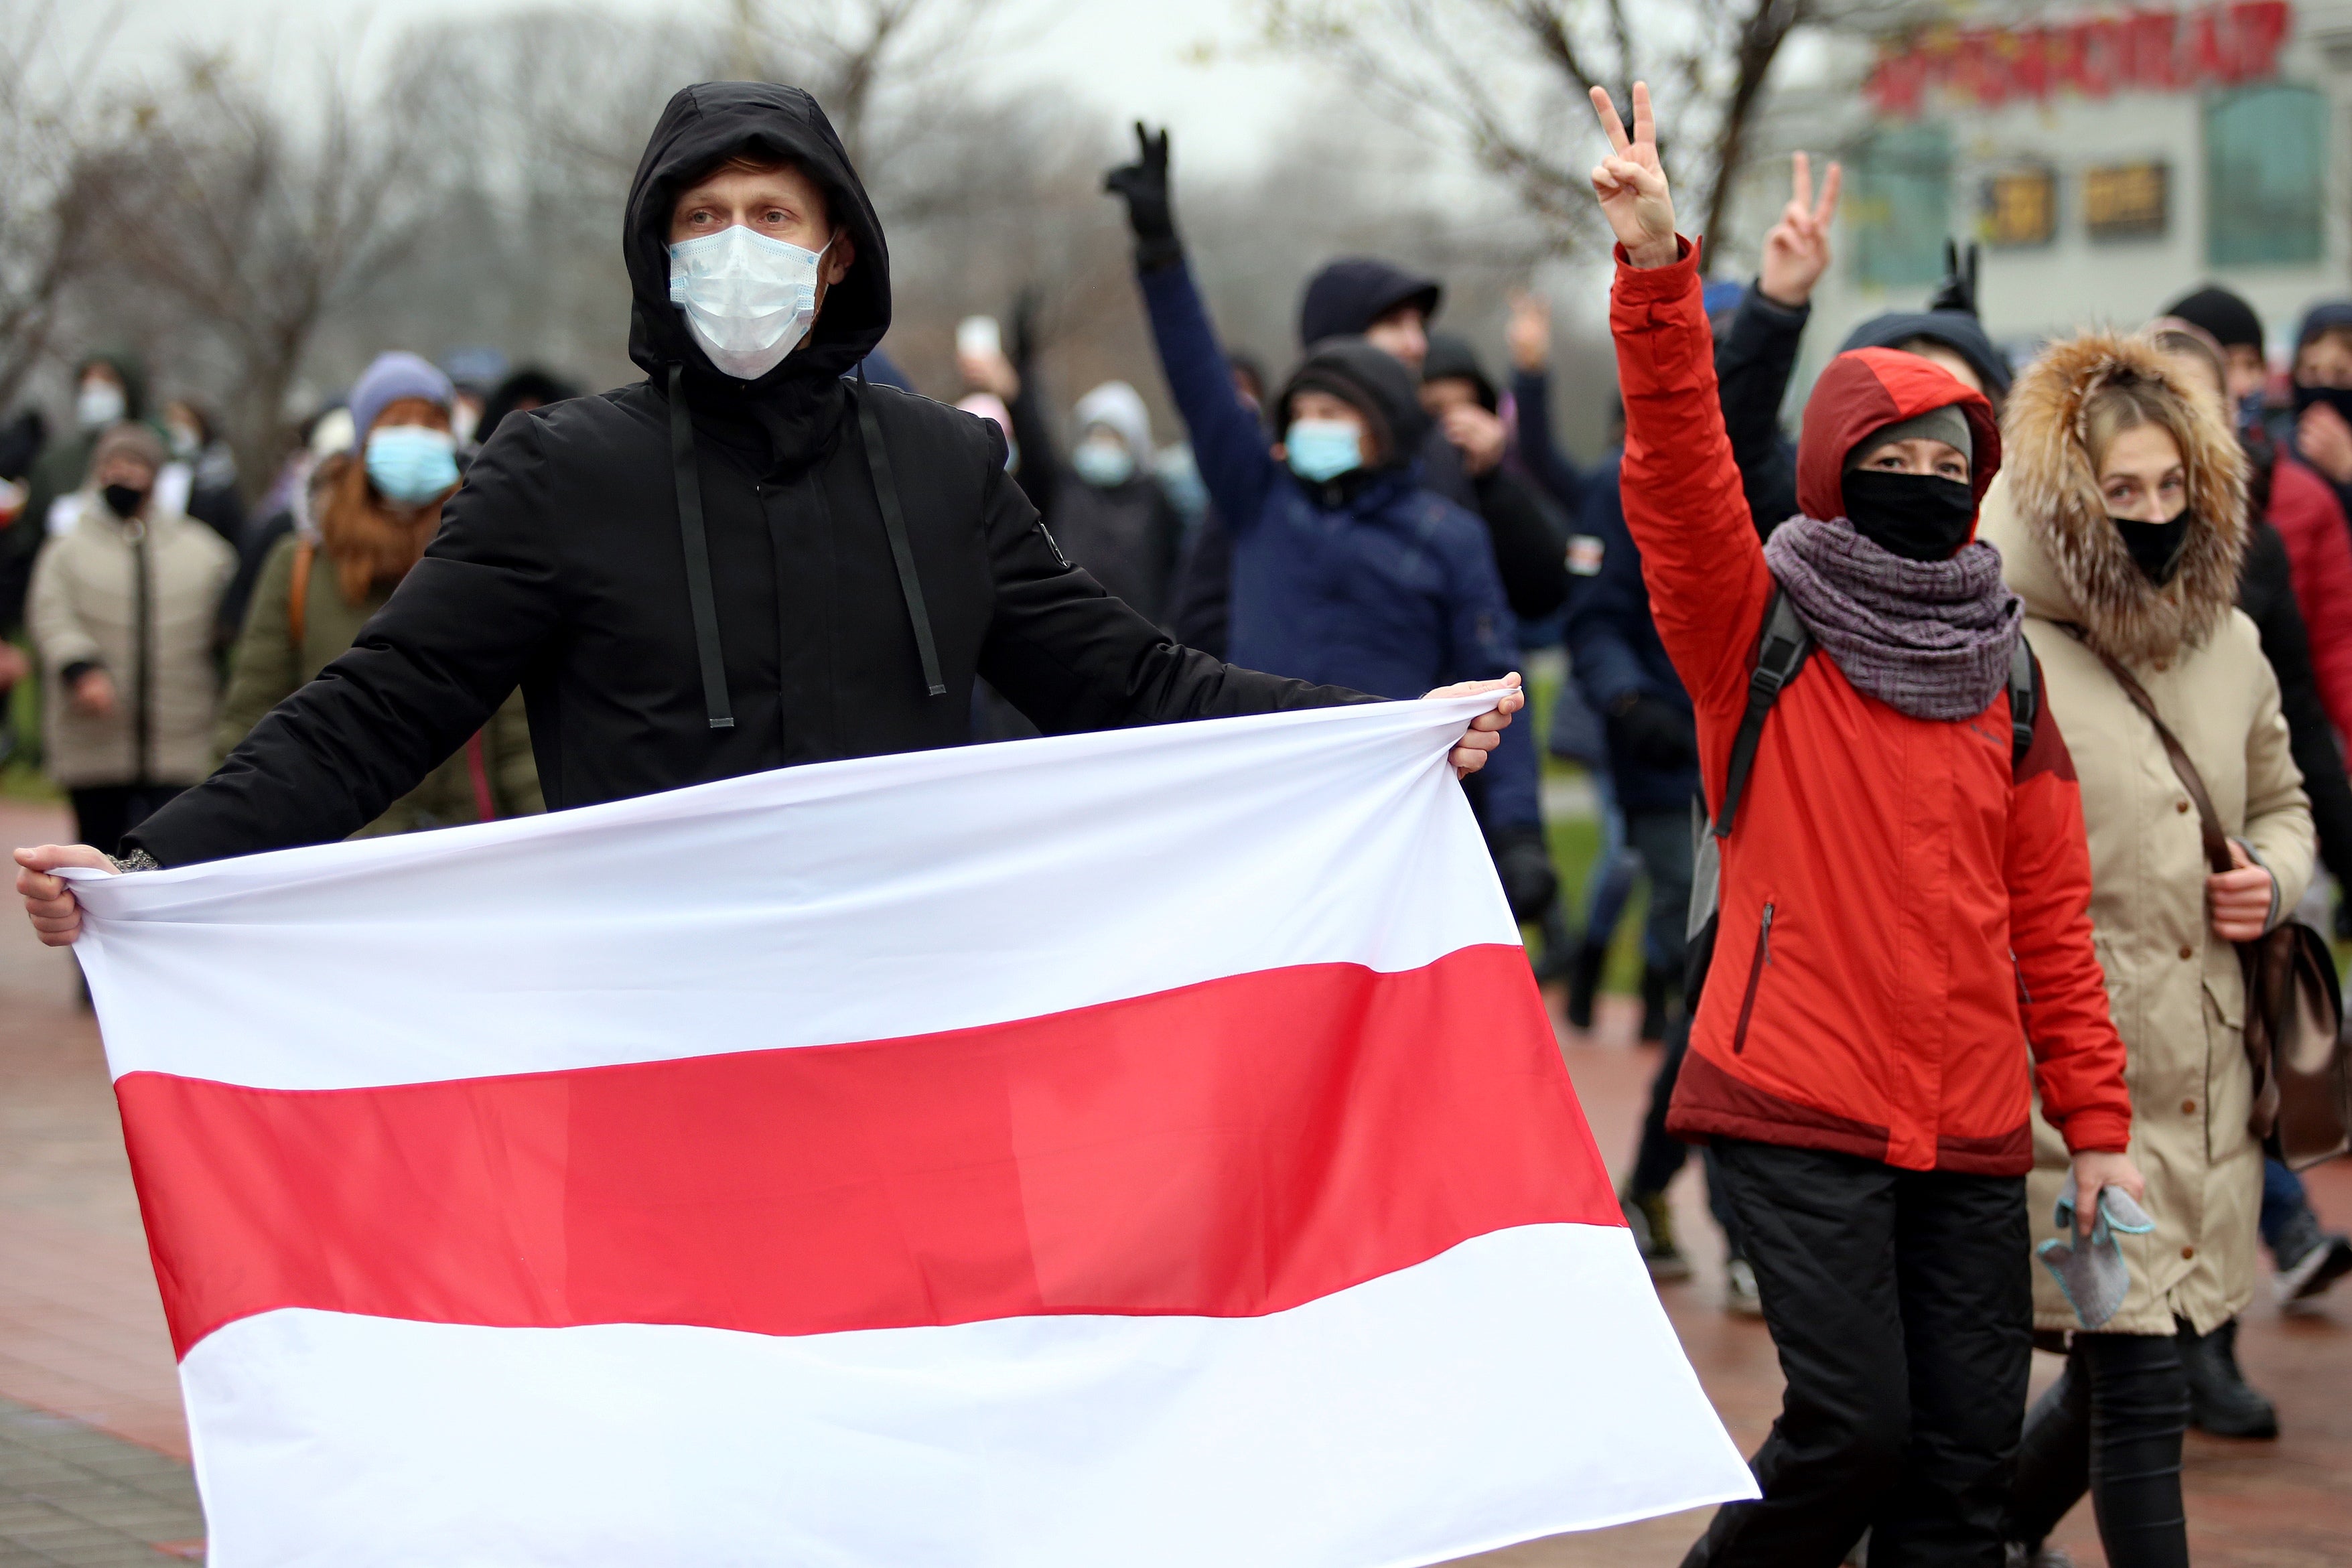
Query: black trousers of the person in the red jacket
column 1902, row 1308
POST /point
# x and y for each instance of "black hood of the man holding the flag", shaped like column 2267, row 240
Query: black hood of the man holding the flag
column 700, row 128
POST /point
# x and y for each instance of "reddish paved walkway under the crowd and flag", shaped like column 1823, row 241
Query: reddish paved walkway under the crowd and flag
column 93, row 1447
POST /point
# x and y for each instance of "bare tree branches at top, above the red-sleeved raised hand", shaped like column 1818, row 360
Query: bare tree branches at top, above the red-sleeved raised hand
column 1514, row 76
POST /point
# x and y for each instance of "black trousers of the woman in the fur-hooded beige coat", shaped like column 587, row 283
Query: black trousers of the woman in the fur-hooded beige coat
column 2111, row 1426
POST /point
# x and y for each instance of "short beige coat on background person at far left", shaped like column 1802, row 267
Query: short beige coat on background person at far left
column 83, row 610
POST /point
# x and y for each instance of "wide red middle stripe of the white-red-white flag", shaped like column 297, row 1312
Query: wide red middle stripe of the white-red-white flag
column 1229, row 1148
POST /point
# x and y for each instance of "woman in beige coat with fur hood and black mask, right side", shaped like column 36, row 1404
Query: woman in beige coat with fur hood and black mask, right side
column 2120, row 523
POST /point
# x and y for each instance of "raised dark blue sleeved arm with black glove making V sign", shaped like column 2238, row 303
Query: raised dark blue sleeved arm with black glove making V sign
column 1229, row 443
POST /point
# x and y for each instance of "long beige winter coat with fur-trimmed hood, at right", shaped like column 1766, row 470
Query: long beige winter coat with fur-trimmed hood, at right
column 2174, row 986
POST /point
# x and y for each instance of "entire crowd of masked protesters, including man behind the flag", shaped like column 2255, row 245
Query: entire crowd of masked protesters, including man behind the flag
column 1887, row 716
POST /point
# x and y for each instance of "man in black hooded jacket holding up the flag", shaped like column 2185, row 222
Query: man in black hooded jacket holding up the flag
column 700, row 577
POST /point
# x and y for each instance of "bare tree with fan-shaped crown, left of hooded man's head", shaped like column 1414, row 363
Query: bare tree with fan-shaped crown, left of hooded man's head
column 260, row 225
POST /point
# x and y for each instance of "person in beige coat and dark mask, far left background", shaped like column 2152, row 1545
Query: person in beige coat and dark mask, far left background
column 123, row 617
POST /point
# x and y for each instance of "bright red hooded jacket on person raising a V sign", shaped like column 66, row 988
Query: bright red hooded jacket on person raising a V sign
column 1899, row 913
